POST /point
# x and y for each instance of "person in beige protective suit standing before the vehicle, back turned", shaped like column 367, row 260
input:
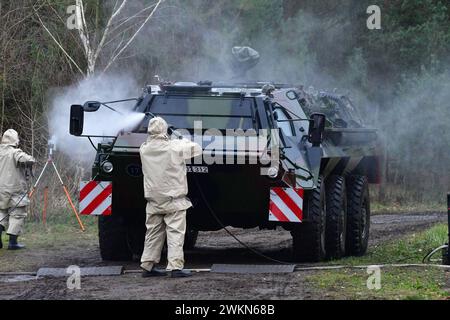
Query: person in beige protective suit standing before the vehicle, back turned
column 165, row 186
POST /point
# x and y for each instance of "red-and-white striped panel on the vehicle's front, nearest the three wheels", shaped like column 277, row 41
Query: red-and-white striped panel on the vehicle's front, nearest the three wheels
column 286, row 205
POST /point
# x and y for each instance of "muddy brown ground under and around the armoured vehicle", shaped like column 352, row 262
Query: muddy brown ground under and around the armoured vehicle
column 213, row 247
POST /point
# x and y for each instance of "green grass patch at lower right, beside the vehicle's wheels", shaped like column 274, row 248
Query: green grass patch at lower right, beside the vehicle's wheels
column 396, row 283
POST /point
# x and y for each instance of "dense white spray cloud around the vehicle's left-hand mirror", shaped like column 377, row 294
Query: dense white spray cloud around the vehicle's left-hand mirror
column 103, row 122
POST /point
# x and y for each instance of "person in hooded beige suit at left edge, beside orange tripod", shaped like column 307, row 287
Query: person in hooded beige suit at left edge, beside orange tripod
column 13, row 188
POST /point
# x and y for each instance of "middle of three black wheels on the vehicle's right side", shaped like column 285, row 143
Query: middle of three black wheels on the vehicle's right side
column 336, row 217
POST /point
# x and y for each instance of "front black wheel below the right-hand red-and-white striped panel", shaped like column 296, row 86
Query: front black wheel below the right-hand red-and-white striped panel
column 309, row 237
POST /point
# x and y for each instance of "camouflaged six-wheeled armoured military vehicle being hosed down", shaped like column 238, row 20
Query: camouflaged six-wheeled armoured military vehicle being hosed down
column 274, row 156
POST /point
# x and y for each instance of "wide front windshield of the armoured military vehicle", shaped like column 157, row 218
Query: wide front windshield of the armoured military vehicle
column 214, row 112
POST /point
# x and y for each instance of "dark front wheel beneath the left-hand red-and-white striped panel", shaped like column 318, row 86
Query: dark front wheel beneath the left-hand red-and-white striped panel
column 112, row 234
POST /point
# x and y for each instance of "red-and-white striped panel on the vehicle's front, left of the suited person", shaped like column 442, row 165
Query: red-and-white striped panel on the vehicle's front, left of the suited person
column 95, row 198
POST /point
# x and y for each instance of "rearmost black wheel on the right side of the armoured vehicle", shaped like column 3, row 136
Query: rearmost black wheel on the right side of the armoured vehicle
column 358, row 215
